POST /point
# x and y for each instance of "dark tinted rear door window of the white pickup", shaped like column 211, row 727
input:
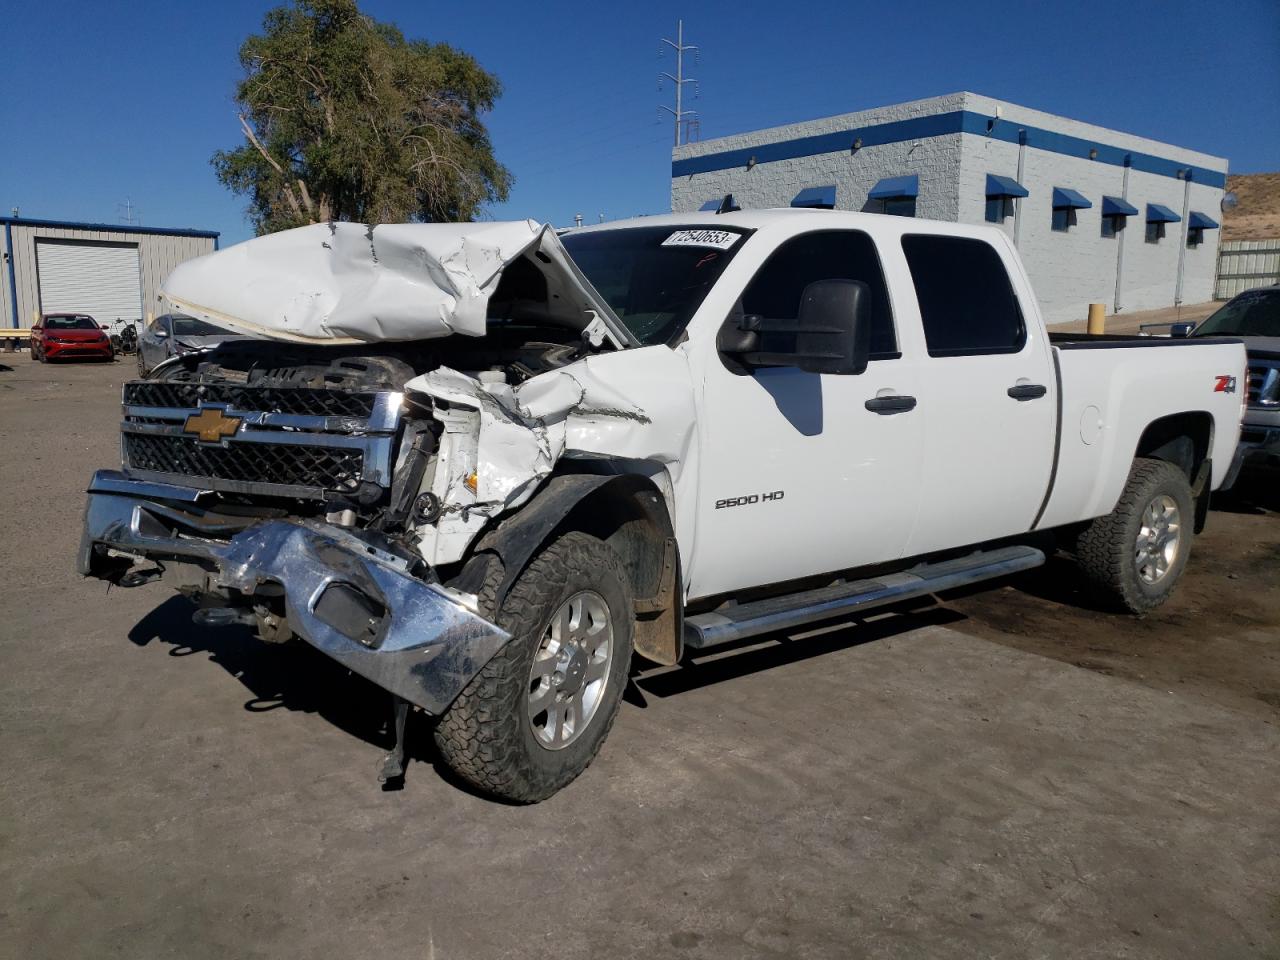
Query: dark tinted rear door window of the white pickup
column 968, row 305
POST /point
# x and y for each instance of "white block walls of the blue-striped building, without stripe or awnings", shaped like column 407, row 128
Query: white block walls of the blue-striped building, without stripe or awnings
column 1069, row 271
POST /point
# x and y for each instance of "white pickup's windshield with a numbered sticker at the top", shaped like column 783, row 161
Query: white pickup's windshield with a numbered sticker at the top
column 655, row 277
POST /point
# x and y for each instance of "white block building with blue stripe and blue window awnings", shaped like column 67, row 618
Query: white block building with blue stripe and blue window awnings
column 1099, row 216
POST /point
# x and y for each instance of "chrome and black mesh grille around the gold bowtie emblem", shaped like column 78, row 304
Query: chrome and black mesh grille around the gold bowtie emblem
column 290, row 442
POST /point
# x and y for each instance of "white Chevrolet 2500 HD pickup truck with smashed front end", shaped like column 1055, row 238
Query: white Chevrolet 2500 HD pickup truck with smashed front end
column 483, row 465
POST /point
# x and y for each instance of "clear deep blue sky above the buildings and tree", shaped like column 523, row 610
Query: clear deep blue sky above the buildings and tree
column 107, row 100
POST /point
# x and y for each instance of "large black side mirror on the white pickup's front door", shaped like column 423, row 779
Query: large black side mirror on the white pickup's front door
column 830, row 336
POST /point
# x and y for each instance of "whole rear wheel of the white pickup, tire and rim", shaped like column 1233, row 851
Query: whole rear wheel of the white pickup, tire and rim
column 1136, row 554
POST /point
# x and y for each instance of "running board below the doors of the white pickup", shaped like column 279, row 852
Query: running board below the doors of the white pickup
column 739, row 621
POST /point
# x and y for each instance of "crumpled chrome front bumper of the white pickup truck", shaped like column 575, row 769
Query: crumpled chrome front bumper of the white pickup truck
column 349, row 600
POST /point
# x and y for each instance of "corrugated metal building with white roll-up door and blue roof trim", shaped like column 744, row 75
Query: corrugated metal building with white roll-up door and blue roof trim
column 109, row 272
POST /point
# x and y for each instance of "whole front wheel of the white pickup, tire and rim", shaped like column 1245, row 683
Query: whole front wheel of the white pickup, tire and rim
column 537, row 715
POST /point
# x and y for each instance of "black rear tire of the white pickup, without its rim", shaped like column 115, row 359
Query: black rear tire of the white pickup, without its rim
column 1108, row 547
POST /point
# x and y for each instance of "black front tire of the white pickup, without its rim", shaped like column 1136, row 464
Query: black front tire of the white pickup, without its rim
column 487, row 737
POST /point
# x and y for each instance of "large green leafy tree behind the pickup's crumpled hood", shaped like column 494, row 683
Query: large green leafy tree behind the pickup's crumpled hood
column 346, row 120
